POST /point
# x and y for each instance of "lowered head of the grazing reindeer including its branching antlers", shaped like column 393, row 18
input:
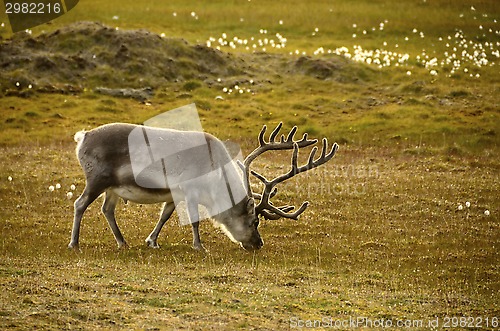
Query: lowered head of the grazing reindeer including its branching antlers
column 249, row 237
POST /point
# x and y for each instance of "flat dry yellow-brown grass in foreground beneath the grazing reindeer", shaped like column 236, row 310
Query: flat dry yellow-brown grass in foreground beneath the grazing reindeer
column 383, row 238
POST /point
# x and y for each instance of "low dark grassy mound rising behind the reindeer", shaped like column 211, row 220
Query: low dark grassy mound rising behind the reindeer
column 89, row 54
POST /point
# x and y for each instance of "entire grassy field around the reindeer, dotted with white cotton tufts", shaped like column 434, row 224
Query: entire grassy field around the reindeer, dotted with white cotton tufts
column 403, row 223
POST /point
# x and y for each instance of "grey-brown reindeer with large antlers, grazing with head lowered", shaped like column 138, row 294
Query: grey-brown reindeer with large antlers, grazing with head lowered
column 112, row 165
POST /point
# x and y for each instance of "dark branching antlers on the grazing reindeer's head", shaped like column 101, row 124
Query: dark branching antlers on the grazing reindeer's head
column 265, row 207
